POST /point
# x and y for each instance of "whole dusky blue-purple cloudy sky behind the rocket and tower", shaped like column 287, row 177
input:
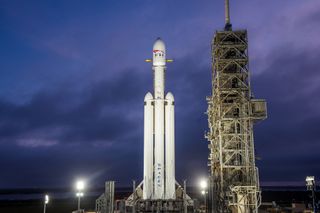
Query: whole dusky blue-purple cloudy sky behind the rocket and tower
column 73, row 80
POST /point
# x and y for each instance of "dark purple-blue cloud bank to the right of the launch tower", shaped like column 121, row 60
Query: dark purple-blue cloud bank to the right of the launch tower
column 287, row 141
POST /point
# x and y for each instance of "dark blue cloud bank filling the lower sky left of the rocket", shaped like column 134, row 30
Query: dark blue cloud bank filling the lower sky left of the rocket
column 100, row 133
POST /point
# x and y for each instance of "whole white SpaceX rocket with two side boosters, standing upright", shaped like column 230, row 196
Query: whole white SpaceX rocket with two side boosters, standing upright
column 159, row 161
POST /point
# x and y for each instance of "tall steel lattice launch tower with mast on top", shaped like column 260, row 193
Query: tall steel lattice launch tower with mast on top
column 232, row 112
